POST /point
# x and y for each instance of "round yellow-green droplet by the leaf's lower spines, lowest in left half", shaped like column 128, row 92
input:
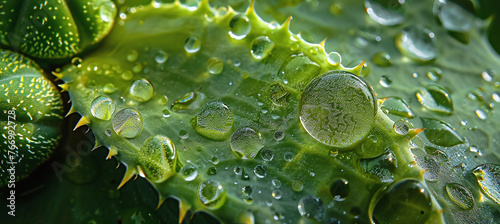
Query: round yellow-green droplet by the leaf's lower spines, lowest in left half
column 211, row 194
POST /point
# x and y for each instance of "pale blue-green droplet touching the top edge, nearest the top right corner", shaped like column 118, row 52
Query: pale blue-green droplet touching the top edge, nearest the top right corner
column 454, row 17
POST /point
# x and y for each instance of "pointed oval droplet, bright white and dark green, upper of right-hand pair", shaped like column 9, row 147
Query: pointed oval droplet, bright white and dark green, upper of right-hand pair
column 436, row 98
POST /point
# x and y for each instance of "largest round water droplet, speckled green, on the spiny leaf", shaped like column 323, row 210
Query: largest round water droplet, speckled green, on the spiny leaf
column 338, row 109
